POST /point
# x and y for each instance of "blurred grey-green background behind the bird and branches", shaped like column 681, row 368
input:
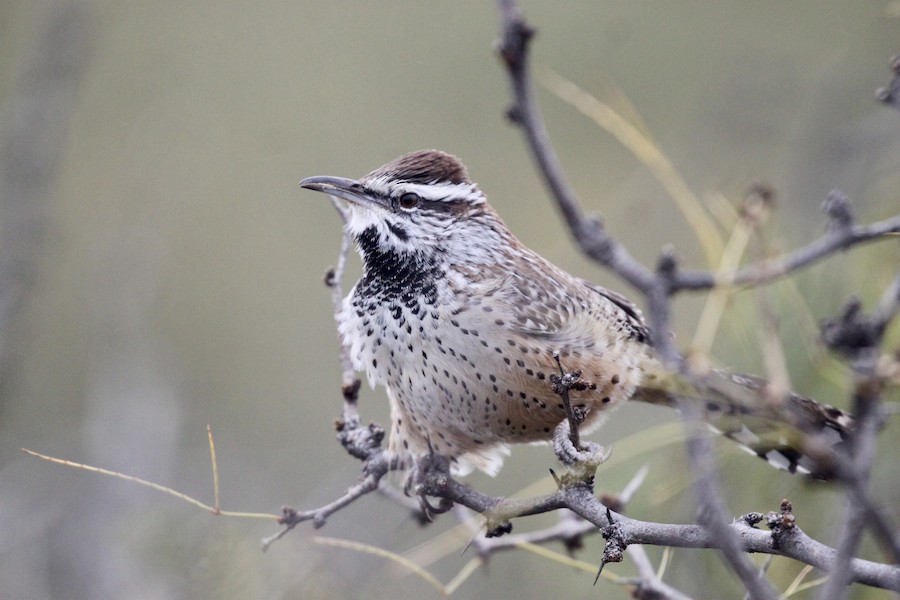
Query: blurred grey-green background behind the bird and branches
column 175, row 280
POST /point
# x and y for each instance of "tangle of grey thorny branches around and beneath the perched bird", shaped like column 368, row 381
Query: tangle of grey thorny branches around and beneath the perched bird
column 854, row 335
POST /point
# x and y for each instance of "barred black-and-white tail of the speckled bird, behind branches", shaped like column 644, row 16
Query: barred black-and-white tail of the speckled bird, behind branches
column 789, row 431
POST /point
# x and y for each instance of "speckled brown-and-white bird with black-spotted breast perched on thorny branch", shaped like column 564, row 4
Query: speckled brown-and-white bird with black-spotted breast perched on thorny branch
column 466, row 328
